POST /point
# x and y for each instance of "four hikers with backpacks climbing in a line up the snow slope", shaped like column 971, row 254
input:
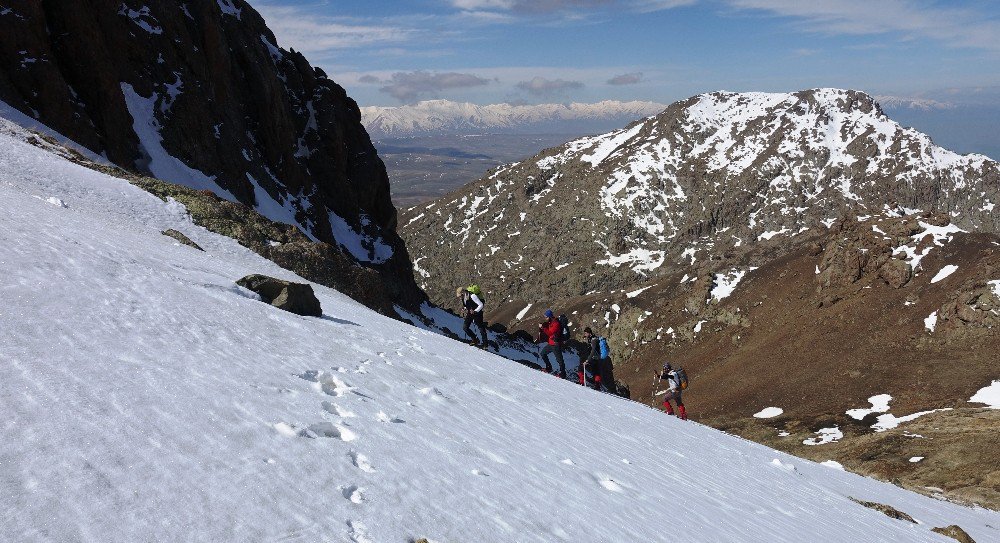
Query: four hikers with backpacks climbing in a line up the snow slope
column 554, row 332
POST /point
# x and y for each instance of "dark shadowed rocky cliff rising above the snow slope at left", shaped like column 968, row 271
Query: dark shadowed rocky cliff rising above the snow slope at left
column 199, row 93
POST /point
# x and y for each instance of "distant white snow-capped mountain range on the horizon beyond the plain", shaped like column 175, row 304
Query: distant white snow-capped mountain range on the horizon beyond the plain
column 446, row 117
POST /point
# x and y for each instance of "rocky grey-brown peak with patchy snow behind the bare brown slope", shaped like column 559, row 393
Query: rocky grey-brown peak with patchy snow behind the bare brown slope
column 714, row 175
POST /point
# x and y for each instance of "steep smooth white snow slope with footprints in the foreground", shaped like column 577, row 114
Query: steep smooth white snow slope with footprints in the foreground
column 147, row 398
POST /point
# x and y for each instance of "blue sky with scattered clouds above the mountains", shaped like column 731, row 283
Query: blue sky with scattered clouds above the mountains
column 388, row 52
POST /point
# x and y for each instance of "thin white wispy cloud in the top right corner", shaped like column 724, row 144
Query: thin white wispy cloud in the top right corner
column 922, row 19
